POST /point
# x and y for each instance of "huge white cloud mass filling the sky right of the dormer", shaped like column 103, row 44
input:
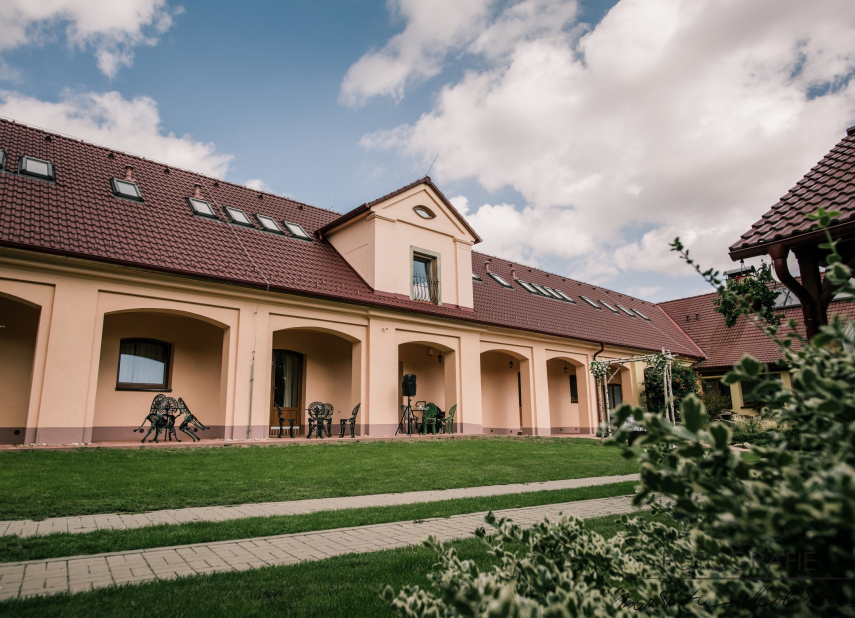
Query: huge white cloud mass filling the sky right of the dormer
column 668, row 118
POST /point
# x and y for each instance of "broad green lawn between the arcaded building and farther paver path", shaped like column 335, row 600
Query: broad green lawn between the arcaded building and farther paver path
column 39, row 484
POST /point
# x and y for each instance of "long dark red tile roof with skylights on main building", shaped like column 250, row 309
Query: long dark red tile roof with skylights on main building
column 78, row 216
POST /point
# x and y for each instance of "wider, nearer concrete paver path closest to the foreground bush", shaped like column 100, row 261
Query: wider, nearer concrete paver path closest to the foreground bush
column 81, row 573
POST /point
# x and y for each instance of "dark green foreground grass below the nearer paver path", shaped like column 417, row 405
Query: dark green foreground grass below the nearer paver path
column 346, row 586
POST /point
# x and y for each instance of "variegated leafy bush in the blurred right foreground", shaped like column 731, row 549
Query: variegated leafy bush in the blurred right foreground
column 772, row 537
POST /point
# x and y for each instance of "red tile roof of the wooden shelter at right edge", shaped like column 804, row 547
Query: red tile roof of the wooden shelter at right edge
column 830, row 185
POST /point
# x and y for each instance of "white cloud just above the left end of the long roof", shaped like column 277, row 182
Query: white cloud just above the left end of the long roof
column 110, row 120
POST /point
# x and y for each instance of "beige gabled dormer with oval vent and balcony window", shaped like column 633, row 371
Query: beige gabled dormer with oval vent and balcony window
column 411, row 243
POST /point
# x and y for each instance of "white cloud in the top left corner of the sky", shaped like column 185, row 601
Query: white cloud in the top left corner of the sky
column 111, row 28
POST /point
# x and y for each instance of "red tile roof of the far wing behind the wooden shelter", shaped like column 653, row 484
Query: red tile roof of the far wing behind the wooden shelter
column 724, row 346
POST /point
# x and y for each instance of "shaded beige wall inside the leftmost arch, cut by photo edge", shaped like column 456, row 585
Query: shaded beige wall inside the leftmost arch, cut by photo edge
column 20, row 323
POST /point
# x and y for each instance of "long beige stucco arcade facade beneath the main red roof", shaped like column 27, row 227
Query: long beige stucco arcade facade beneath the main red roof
column 352, row 355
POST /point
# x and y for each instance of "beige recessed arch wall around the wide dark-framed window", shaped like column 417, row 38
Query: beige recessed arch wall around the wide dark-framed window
column 196, row 371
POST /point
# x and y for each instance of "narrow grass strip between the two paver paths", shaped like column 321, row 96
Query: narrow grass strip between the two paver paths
column 16, row 549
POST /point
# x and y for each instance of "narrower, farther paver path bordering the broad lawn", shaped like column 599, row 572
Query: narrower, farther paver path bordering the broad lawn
column 116, row 521
